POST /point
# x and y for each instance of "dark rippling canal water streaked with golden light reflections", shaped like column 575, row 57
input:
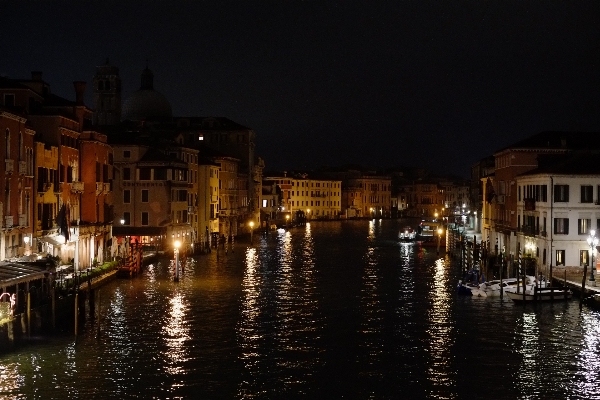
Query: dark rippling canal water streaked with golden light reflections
column 332, row 310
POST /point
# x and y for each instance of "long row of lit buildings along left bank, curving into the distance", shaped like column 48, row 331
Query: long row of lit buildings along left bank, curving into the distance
column 83, row 184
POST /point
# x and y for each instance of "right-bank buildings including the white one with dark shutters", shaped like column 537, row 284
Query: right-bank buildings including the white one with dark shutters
column 539, row 198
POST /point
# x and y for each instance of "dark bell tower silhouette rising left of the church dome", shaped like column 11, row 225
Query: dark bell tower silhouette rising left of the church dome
column 107, row 95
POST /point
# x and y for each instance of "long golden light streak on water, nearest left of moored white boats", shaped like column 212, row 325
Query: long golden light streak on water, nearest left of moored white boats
column 441, row 334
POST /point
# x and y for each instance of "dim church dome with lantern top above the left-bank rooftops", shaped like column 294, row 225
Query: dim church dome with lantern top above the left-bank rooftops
column 146, row 103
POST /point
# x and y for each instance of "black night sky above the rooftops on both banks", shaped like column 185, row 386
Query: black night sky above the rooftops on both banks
column 435, row 84
